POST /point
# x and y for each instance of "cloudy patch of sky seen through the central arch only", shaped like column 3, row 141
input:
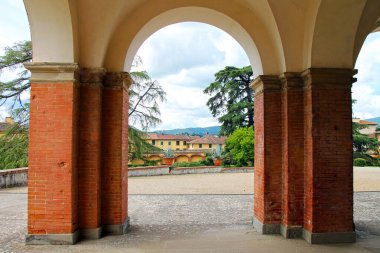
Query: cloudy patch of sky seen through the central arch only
column 184, row 58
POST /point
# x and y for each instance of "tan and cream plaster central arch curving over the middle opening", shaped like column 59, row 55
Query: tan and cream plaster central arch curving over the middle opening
column 258, row 36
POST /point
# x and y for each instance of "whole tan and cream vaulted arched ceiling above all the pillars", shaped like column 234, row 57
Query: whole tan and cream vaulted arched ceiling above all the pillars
column 278, row 36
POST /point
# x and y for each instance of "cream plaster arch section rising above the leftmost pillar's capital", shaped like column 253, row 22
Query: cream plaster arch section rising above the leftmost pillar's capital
column 53, row 30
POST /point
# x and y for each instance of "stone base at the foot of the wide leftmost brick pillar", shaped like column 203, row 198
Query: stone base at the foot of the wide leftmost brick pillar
column 52, row 239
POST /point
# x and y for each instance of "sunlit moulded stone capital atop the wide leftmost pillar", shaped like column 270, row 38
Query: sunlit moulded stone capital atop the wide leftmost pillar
column 43, row 72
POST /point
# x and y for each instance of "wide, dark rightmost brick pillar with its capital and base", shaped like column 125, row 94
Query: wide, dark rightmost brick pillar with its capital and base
column 328, row 215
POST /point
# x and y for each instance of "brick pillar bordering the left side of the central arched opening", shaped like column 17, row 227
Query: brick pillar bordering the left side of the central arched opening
column 115, row 153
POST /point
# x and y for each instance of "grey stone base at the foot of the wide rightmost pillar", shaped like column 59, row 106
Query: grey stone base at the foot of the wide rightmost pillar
column 332, row 237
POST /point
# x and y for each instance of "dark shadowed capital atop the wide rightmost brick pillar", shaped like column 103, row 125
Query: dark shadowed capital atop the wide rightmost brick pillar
column 329, row 78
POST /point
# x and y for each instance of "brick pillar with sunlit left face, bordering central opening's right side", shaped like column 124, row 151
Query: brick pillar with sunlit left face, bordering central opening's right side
column 268, row 148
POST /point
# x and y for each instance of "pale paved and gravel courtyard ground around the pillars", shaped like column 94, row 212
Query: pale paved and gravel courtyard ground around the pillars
column 195, row 213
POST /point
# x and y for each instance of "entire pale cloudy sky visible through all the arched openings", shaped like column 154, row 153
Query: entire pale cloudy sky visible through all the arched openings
column 197, row 51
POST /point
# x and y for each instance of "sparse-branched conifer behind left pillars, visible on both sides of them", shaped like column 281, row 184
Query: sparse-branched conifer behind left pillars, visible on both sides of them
column 143, row 107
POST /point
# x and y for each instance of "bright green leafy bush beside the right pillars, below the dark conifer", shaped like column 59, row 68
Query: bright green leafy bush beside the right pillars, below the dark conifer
column 240, row 147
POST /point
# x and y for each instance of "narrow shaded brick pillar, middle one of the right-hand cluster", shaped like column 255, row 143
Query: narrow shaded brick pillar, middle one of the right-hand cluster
column 292, row 155
